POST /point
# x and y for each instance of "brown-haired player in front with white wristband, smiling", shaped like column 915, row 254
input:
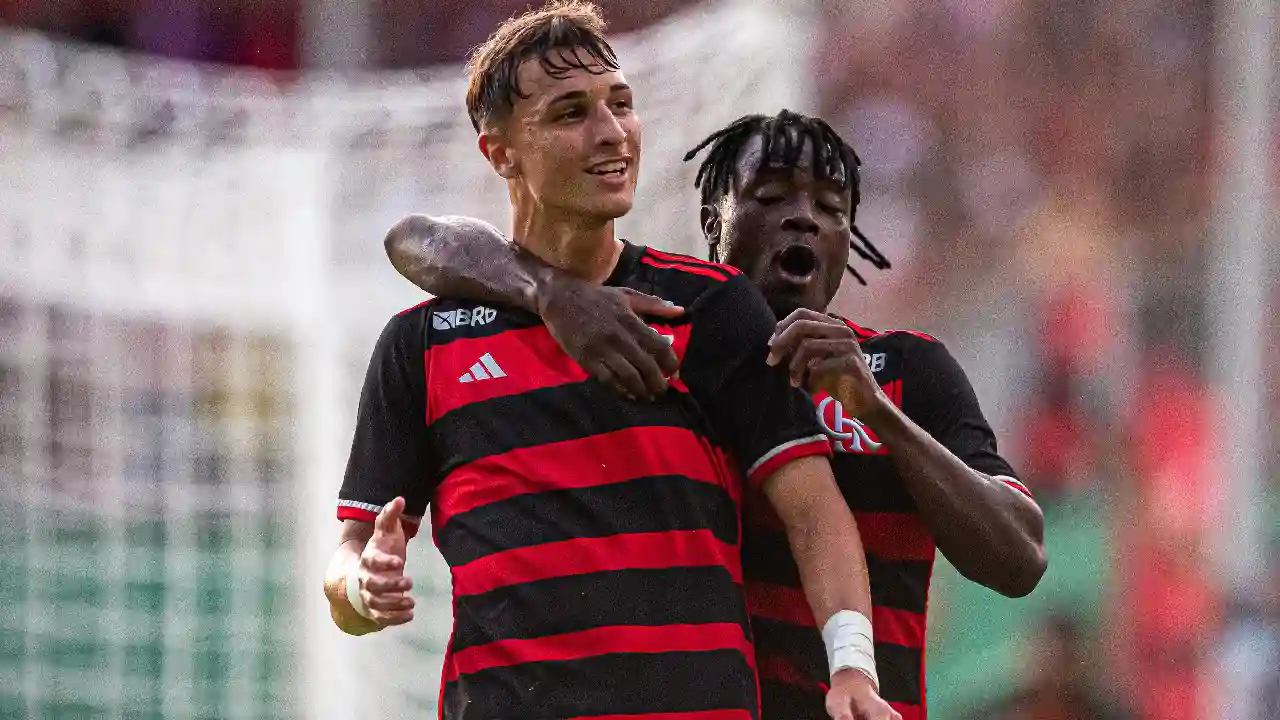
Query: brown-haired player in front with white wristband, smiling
column 593, row 540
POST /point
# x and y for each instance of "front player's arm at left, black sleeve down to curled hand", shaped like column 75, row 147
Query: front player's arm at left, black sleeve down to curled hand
column 386, row 489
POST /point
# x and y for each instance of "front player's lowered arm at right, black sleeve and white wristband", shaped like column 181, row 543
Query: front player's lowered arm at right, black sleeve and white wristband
column 774, row 432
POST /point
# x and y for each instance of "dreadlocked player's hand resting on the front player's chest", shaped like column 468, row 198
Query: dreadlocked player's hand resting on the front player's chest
column 600, row 327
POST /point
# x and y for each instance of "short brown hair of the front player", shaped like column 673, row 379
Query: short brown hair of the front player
column 565, row 37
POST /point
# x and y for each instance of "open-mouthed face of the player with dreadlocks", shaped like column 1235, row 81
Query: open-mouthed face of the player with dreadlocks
column 785, row 230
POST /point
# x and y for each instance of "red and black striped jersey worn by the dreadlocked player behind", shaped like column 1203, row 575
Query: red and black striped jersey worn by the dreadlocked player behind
column 925, row 381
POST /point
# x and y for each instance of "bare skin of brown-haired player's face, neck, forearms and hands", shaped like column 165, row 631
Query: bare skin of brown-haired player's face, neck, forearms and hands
column 564, row 217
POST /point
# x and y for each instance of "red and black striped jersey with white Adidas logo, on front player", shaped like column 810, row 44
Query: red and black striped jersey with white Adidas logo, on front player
column 595, row 543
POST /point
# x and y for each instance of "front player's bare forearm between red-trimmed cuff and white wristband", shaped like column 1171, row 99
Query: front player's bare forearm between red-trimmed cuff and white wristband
column 824, row 539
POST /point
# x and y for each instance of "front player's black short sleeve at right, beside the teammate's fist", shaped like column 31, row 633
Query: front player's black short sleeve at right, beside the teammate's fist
column 752, row 407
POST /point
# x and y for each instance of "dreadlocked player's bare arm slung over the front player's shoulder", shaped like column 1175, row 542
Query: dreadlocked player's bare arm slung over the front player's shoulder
column 598, row 327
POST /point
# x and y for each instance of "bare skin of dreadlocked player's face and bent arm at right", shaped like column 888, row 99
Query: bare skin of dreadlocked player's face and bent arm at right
column 993, row 534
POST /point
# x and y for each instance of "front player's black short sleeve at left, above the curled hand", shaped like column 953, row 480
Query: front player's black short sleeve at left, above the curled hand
column 388, row 454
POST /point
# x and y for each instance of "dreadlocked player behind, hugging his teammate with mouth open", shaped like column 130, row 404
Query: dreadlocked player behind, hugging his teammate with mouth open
column 915, row 457
